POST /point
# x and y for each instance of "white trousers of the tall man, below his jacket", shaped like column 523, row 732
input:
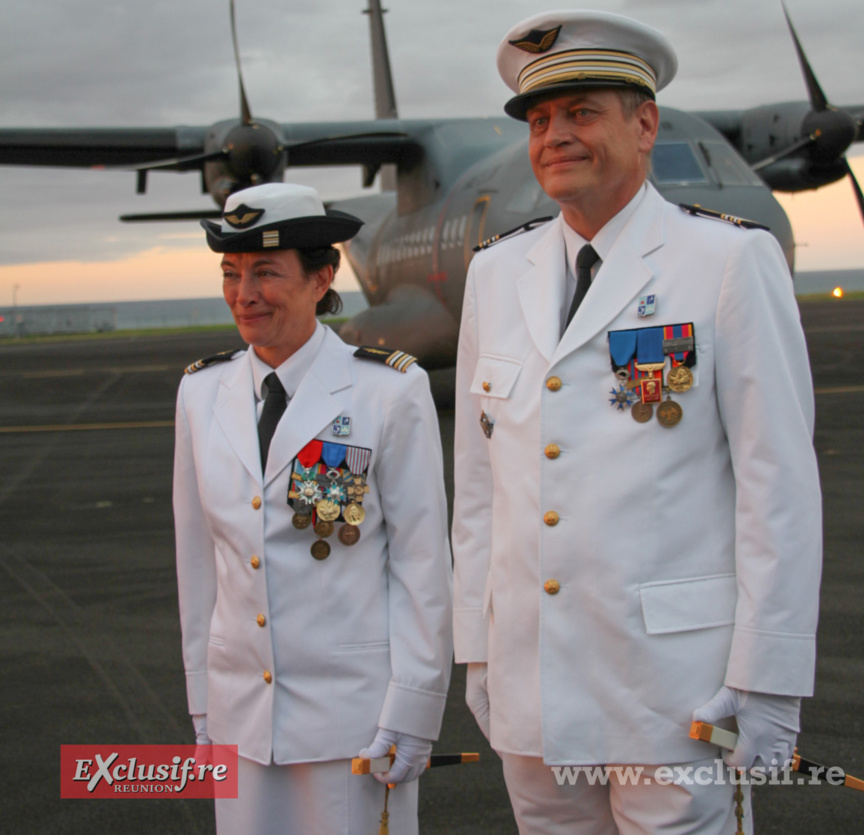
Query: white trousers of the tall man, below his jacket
column 687, row 801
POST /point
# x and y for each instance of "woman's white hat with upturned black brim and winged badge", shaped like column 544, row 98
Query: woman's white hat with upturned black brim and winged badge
column 278, row 216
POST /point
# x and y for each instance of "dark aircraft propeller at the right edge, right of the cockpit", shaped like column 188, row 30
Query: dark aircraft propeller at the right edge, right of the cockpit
column 828, row 131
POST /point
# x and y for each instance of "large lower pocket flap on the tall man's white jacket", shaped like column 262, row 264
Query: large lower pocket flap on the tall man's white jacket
column 696, row 603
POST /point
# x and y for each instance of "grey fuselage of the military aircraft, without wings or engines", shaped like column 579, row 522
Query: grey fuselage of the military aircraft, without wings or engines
column 412, row 264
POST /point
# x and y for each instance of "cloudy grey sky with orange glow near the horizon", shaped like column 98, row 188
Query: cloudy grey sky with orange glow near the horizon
column 170, row 62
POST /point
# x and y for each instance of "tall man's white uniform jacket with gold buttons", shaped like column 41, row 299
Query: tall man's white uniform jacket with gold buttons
column 687, row 556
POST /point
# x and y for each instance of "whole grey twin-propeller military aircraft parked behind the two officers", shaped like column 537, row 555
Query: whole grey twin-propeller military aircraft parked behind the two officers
column 450, row 183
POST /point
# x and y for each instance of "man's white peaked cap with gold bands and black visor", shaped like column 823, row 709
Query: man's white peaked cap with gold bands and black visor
column 557, row 52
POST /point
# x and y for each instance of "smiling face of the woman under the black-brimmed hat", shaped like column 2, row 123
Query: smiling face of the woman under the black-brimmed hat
column 272, row 300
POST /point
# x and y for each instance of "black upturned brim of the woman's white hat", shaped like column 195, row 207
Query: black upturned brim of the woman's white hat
column 297, row 233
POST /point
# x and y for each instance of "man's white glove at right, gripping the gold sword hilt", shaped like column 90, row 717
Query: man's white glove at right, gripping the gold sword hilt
column 767, row 726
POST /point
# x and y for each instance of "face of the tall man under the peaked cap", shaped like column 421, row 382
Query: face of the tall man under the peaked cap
column 586, row 153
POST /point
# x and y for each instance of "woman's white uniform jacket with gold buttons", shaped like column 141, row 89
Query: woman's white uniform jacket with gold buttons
column 359, row 639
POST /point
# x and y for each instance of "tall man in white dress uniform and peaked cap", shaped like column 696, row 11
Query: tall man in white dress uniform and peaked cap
column 637, row 512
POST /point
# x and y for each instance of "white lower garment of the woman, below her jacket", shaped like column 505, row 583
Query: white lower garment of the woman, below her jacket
column 313, row 799
